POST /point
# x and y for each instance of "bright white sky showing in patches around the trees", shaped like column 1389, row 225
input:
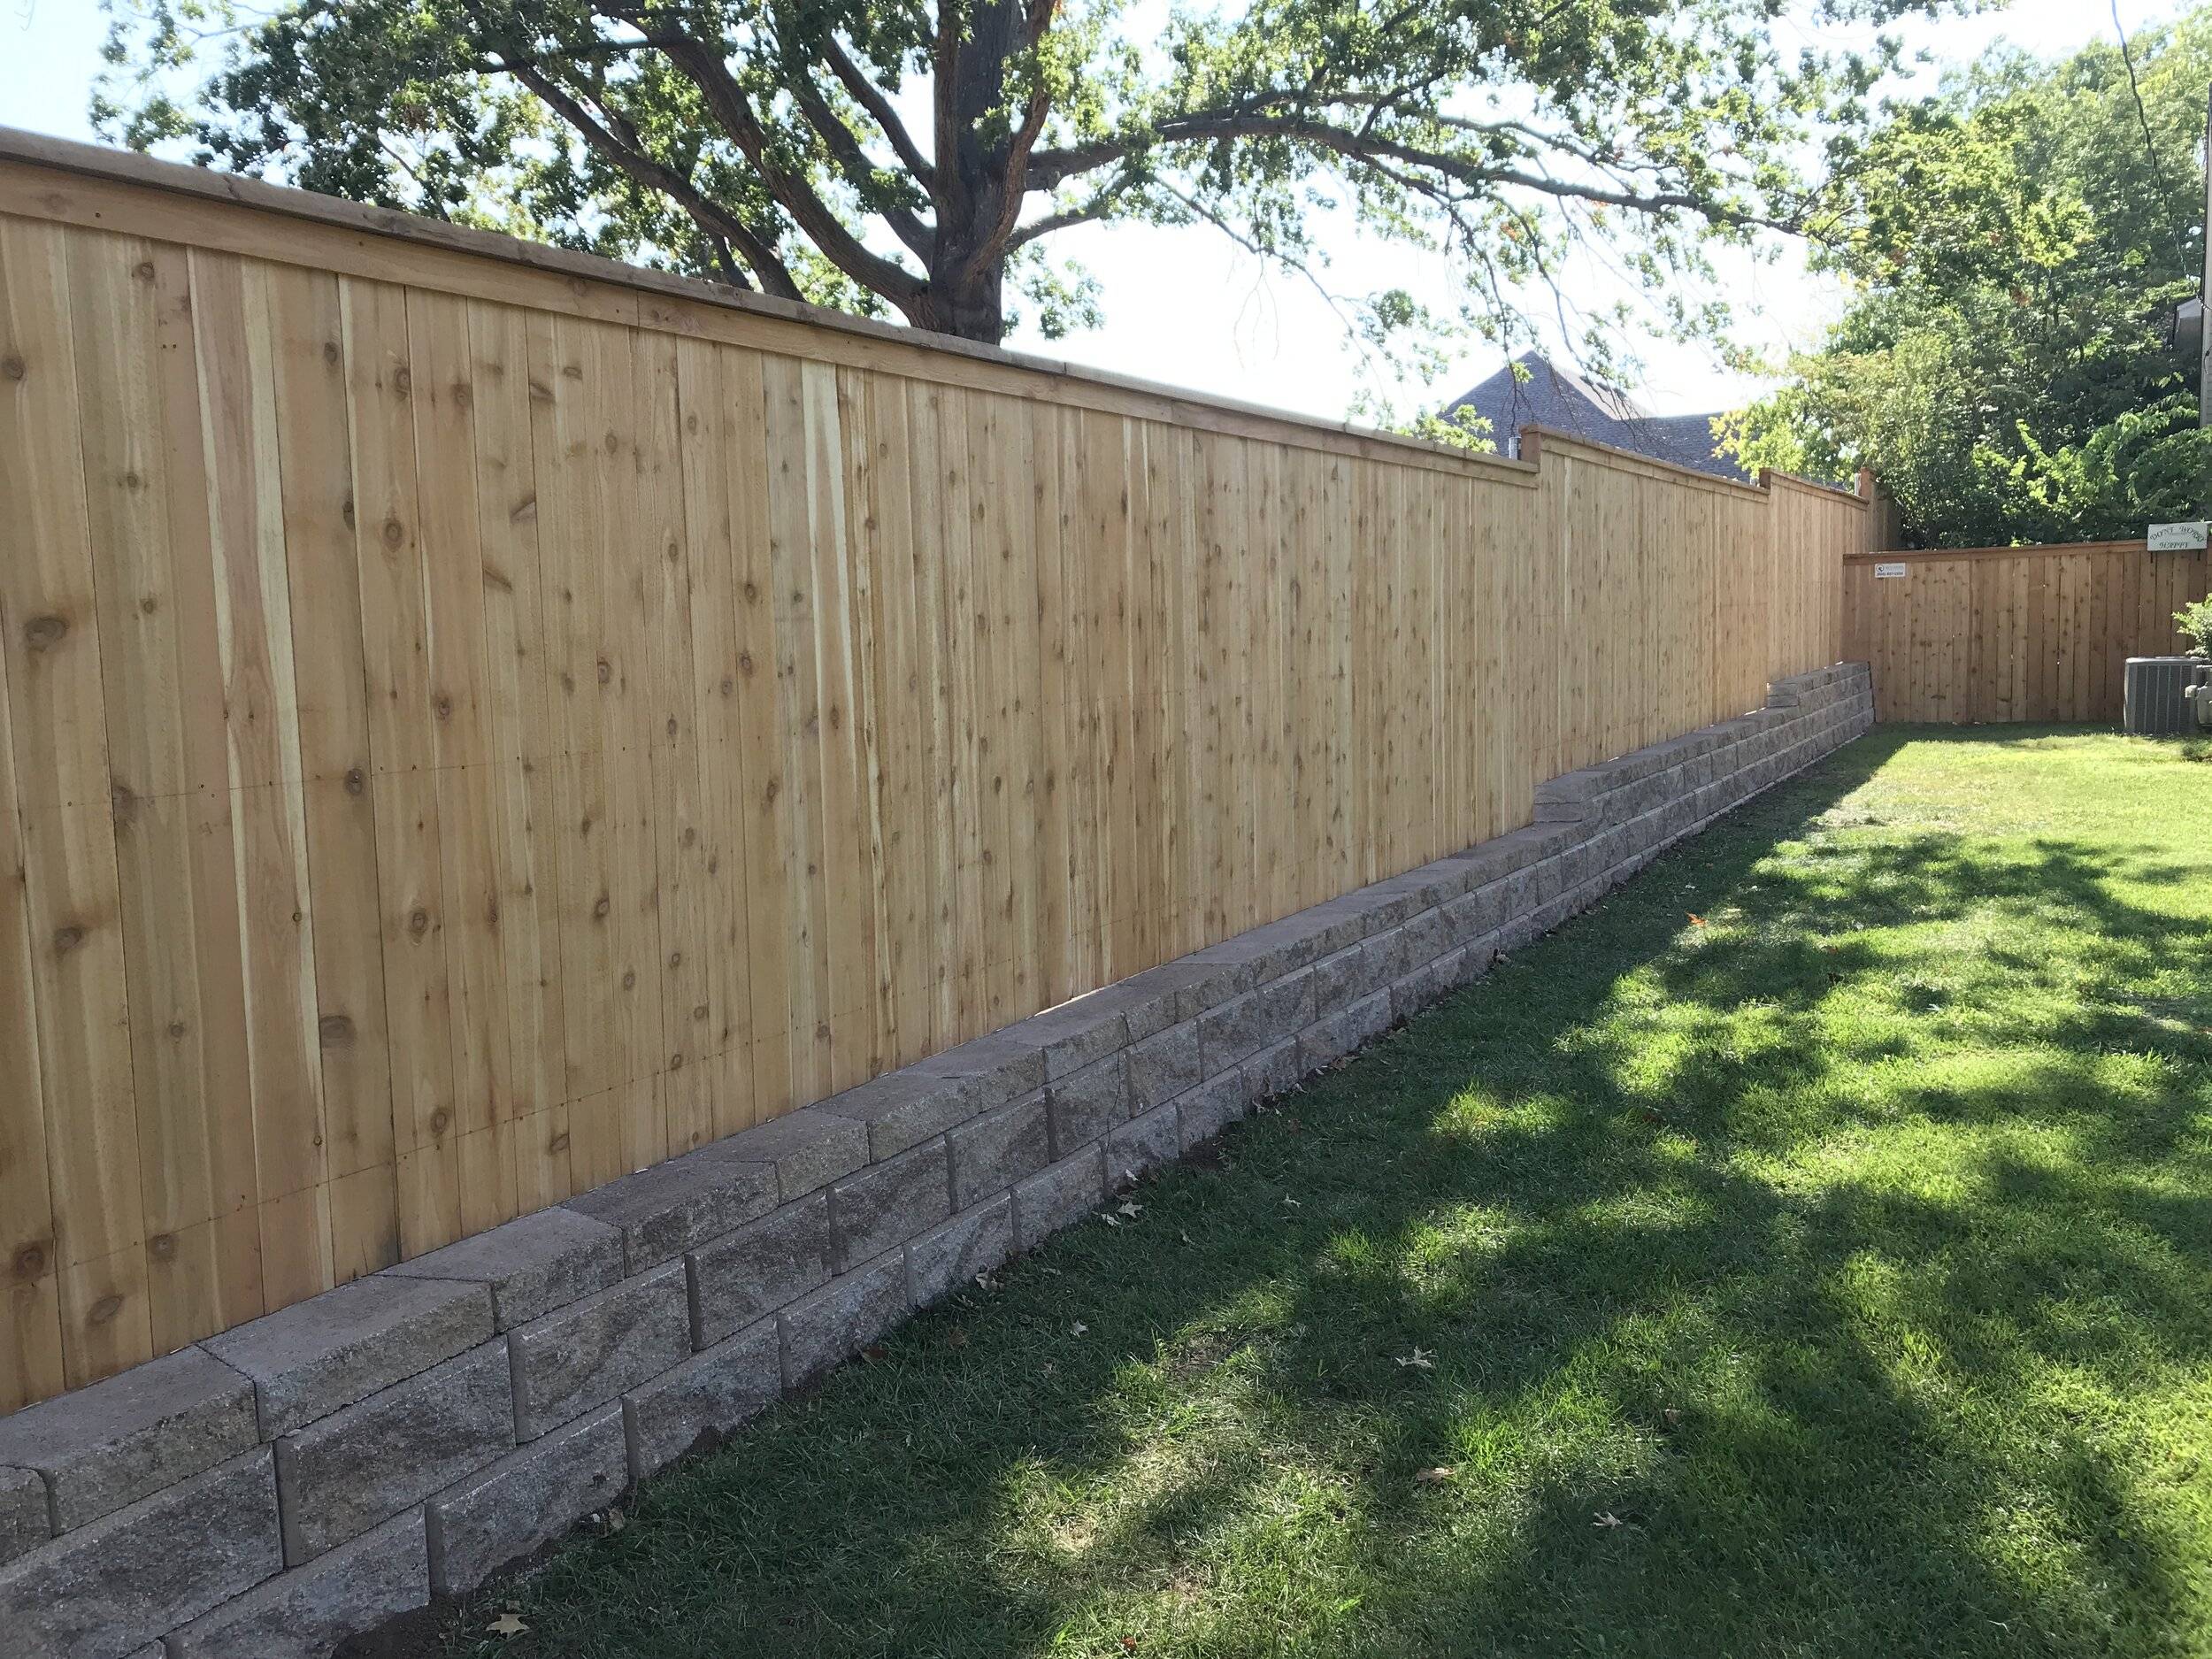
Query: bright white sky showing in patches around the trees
column 1193, row 311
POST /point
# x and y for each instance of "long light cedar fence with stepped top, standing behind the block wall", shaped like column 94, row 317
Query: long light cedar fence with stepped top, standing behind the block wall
column 479, row 720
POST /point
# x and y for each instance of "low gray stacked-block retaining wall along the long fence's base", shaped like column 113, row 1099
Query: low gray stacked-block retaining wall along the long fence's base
column 404, row 1437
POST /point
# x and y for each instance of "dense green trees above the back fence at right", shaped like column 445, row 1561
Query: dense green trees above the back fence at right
column 2018, row 247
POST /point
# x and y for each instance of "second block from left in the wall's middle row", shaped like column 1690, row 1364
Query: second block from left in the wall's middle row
column 362, row 1465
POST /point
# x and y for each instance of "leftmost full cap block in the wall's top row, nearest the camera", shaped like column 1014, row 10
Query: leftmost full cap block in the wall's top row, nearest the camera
column 134, row 1434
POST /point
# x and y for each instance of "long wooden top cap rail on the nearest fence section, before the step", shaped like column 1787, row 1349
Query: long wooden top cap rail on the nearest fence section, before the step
column 207, row 185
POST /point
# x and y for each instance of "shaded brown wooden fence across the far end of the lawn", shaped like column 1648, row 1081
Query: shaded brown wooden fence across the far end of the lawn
column 2012, row 634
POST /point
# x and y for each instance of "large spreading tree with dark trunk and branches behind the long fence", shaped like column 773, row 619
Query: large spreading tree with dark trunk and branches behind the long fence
column 912, row 156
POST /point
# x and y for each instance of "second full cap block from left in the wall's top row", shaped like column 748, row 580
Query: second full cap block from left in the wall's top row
column 344, row 1346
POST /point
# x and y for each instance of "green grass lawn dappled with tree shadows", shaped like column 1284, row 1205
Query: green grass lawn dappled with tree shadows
column 1806, row 1253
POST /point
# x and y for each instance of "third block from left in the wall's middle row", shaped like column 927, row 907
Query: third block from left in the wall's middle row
column 585, row 1355
